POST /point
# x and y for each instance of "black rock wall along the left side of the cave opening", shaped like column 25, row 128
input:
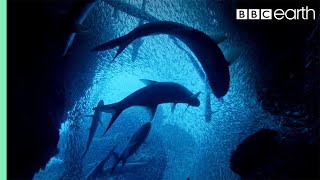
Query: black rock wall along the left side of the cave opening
column 35, row 89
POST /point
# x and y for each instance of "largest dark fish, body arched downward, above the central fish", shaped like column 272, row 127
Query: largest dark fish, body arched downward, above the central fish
column 206, row 50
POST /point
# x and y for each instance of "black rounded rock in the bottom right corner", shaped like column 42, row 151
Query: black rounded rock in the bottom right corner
column 267, row 155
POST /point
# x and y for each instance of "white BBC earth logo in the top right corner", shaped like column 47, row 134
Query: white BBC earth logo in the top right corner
column 279, row 14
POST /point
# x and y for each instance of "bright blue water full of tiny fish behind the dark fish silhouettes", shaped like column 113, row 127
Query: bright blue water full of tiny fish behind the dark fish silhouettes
column 181, row 144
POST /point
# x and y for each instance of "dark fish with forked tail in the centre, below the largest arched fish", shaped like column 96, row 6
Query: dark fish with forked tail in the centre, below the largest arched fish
column 151, row 96
